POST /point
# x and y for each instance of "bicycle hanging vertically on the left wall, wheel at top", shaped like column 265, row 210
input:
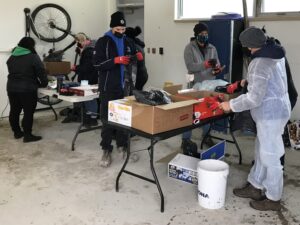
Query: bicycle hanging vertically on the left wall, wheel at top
column 50, row 23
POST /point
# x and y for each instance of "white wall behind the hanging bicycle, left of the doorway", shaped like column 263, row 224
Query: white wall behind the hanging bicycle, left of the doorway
column 89, row 16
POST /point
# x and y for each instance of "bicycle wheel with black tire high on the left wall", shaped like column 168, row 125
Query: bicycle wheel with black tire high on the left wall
column 50, row 22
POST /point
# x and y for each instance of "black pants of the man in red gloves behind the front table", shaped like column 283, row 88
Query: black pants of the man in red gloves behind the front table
column 107, row 133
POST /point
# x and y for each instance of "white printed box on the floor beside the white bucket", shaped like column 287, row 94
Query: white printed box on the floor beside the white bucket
column 184, row 168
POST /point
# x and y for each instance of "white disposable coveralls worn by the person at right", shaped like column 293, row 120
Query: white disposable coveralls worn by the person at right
column 268, row 101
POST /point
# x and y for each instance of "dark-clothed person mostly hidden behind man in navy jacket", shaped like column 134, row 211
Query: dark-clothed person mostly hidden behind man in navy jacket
column 141, row 70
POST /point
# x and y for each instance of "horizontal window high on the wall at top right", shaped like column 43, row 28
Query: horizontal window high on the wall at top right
column 200, row 9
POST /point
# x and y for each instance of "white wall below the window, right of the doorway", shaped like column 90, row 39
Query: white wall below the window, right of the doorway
column 162, row 31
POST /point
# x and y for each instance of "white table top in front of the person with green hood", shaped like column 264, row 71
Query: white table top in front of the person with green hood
column 73, row 98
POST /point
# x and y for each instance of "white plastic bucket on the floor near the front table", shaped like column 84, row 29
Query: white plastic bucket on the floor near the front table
column 212, row 180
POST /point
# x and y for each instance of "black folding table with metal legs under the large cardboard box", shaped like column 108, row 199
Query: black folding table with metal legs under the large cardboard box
column 155, row 138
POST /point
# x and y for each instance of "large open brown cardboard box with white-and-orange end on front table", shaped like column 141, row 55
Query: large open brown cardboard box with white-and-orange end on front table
column 152, row 119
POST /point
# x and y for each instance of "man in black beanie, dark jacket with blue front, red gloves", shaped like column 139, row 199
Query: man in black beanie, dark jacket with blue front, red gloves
column 112, row 55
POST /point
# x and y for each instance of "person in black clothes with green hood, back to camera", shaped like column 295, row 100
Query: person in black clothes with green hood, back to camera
column 26, row 73
